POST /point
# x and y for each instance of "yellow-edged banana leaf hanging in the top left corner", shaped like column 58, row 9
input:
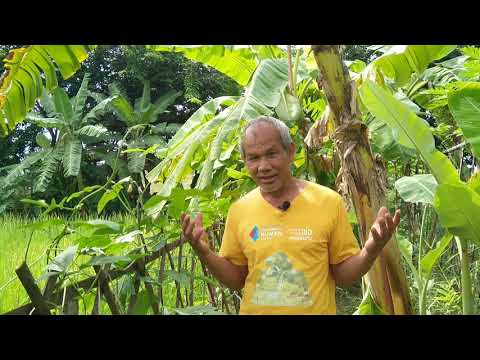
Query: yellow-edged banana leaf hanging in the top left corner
column 21, row 83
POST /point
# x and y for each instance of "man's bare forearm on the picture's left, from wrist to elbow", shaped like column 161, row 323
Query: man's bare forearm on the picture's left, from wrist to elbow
column 230, row 275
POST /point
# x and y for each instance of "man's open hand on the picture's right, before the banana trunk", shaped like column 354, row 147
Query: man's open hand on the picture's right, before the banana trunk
column 382, row 230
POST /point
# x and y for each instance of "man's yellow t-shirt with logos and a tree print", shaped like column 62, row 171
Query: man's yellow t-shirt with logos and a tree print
column 288, row 252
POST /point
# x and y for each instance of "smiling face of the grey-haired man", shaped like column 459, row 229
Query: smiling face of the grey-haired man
column 267, row 161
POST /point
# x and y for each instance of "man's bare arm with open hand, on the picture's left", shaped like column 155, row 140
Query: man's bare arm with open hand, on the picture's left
column 231, row 275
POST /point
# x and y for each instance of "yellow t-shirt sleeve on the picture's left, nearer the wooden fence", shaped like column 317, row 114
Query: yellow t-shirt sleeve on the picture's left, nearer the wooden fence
column 231, row 248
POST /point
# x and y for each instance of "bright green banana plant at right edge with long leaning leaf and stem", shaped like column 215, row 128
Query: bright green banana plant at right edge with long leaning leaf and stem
column 457, row 203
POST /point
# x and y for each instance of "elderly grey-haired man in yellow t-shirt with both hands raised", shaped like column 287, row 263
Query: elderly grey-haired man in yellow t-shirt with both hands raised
column 288, row 242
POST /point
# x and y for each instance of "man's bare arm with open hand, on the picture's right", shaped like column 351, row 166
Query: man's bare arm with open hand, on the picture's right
column 352, row 269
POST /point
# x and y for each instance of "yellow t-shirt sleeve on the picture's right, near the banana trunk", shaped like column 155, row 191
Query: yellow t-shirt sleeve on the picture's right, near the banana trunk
column 343, row 243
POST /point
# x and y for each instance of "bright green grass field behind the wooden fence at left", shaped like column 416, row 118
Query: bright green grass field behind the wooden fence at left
column 14, row 239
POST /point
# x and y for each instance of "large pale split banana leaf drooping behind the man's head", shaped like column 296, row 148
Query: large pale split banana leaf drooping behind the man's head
column 261, row 96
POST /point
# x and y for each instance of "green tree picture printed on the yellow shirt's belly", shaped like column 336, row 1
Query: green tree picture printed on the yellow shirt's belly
column 280, row 284
